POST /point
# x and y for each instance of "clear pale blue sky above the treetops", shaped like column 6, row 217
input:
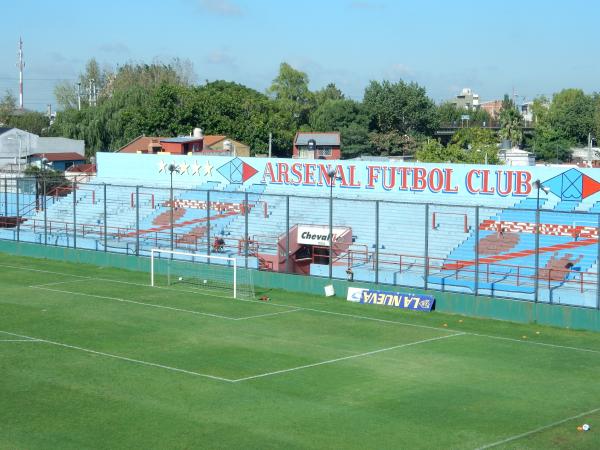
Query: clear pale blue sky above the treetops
column 531, row 47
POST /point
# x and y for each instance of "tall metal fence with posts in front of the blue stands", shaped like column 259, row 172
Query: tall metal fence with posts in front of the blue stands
column 525, row 252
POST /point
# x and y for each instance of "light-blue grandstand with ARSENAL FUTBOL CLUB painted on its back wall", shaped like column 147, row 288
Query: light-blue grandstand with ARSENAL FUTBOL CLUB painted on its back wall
column 450, row 227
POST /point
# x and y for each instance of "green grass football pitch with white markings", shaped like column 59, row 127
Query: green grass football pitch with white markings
column 93, row 357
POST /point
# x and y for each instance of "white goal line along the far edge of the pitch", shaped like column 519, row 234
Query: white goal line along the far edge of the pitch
column 322, row 311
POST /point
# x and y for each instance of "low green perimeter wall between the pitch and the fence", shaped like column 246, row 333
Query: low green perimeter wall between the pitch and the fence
column 457, row 303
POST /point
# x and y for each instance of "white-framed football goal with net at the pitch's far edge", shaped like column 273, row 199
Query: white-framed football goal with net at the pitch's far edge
column 214, row 274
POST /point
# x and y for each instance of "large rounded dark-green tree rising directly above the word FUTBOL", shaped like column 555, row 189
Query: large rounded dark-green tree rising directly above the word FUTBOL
column 400, row 107
